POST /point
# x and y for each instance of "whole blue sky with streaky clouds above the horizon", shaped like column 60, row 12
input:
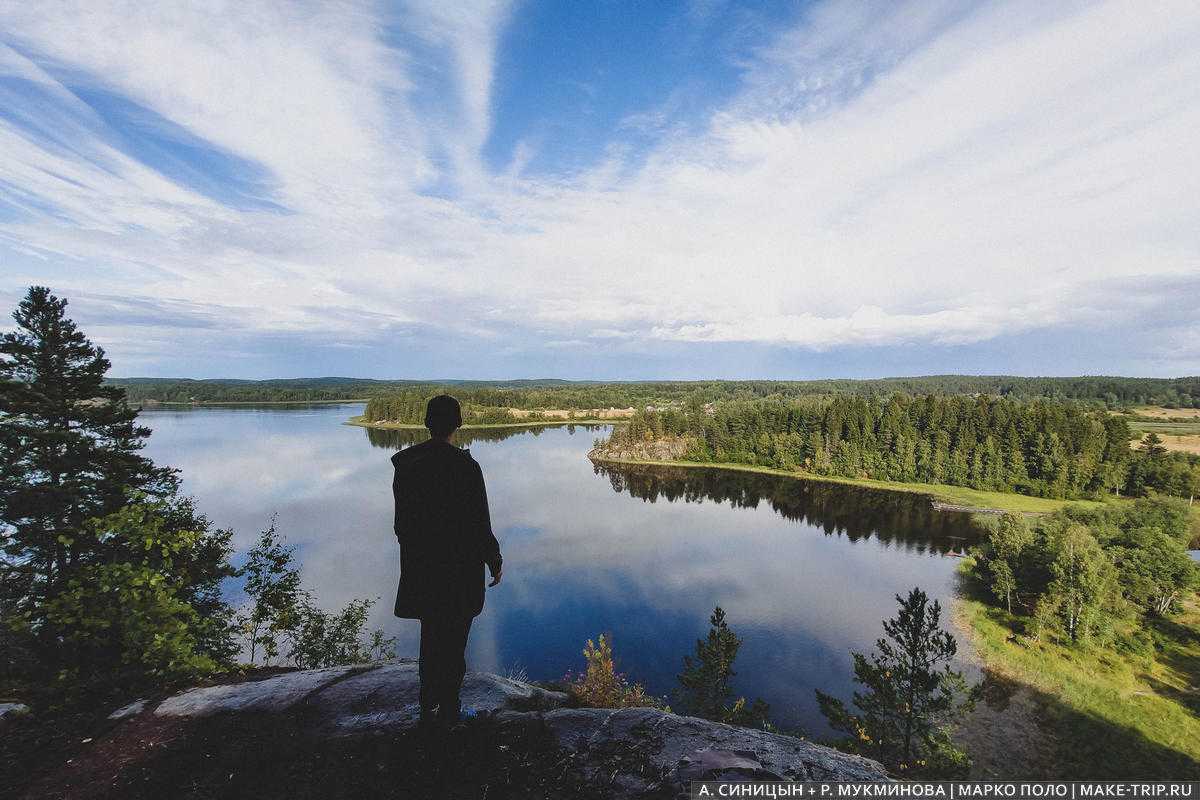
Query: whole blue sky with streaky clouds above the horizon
column 609, row 190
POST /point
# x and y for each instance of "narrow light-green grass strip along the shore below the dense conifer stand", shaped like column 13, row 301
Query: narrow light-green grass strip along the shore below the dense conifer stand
column 956, row 496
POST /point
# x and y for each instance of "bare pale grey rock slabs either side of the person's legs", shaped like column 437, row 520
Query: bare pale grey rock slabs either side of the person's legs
column 632, row 753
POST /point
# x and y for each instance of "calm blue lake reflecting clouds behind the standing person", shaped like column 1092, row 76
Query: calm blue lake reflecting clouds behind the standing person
column 805, row 572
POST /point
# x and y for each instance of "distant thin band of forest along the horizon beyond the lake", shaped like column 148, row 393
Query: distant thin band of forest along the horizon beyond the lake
column 1112, row 393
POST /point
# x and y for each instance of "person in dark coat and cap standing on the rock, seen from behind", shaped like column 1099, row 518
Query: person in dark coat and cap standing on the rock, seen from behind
column 446, row 539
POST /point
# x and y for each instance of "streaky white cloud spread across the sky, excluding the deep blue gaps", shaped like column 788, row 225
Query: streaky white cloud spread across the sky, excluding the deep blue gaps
column 891, row 173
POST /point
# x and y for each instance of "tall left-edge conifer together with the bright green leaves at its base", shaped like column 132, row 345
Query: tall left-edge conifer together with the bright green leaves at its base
column 109, row 581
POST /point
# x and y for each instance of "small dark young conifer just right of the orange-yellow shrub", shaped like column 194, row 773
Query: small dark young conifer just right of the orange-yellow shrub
column 705, row 684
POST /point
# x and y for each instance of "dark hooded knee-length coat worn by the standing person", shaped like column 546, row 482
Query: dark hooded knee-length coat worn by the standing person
column 445, row 532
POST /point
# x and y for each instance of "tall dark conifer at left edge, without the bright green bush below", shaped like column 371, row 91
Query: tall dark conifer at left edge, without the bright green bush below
column 69, row 446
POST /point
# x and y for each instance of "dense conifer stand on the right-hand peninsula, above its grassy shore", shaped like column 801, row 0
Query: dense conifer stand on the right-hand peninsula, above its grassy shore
column 1040, row 448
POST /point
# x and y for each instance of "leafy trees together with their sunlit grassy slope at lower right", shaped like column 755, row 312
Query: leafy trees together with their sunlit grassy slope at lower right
column 1096, row 609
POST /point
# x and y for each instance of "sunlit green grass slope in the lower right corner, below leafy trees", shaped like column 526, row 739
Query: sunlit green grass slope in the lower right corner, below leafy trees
column 1109, row 712
